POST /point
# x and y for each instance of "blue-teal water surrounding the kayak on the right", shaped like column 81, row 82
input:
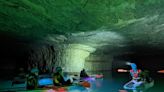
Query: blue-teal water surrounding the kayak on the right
column 115, row 83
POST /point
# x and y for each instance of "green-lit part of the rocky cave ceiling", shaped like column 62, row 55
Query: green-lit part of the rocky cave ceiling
column 38, row 17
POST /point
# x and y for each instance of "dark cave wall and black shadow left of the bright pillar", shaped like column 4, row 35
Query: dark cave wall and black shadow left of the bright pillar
column 16, row 53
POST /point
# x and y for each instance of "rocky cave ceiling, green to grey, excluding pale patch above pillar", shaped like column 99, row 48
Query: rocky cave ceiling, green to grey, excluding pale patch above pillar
column 36, row 19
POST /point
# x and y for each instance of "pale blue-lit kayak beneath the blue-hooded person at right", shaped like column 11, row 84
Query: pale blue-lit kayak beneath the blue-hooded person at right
column 136, row 84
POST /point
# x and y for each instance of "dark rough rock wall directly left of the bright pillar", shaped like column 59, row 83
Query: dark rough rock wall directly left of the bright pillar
column 40, row 56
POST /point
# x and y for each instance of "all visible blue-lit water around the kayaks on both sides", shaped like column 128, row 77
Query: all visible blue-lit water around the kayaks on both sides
column 110, row 83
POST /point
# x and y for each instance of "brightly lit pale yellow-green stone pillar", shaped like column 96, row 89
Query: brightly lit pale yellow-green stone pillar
column 72, row 57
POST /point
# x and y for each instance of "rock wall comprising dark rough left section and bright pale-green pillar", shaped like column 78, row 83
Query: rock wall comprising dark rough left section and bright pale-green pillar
column 71, row 57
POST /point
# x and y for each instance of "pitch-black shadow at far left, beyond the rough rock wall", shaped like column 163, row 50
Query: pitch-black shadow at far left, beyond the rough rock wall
column 13, row 54
